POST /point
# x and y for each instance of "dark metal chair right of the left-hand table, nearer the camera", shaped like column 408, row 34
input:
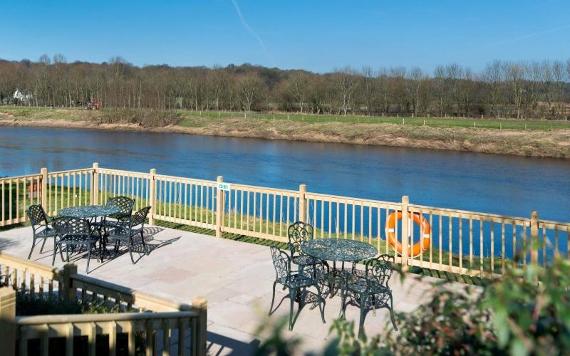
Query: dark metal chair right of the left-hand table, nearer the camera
column 126, row 229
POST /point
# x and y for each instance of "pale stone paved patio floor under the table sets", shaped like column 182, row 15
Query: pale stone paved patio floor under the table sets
column 235, row 277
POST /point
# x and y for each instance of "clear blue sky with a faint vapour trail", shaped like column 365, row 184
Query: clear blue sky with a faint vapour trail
column 318, row 35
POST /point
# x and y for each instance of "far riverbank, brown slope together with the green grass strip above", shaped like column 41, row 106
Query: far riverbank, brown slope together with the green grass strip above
column 535, row 138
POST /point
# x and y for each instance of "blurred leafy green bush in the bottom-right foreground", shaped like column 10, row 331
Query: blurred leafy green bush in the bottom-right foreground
column 525, row 312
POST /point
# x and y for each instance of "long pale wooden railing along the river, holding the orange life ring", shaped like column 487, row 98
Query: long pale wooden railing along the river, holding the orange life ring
column 460, row 241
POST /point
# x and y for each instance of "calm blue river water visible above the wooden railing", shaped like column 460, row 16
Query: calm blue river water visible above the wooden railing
column 498, row 184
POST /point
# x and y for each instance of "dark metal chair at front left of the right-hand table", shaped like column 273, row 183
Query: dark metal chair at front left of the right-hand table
column 297, row 283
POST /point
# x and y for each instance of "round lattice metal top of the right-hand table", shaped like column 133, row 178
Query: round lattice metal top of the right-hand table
column 333, row 249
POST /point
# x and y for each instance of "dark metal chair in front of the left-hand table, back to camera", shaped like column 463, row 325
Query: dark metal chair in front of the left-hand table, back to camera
column 74, row 235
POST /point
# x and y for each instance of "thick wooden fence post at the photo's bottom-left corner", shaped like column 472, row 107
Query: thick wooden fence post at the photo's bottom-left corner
column 8, row 327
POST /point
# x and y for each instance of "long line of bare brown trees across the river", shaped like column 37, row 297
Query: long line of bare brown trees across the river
column 503, row 89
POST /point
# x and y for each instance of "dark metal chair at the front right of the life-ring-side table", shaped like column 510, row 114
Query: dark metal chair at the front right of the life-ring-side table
column 370, row 290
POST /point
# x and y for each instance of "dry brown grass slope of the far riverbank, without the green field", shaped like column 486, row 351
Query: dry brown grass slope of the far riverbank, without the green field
column 553, row 143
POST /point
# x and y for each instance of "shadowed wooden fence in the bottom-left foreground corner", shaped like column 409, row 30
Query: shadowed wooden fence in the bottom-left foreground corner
column 162, row 326
